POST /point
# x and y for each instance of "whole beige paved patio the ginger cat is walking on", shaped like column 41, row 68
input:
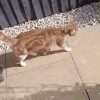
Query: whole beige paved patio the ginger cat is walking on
column 59, row 75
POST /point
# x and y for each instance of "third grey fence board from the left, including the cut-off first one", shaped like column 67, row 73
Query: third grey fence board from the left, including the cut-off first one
column 17, row 11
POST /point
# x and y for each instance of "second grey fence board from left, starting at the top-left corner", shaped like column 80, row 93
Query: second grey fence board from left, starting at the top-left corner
column 8, row 12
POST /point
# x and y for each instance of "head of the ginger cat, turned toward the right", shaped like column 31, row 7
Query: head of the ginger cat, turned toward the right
column 71, row 29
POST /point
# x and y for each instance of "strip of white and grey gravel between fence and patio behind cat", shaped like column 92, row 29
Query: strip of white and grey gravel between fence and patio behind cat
column 87, row 15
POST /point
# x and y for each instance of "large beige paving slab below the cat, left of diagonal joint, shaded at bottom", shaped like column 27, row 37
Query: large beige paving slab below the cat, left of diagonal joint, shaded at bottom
column 53, row 78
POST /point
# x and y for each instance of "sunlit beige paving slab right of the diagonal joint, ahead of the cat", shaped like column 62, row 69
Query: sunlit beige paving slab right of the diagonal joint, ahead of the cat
column 86, row 53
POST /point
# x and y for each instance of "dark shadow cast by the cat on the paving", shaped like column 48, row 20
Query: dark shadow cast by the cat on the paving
column 9, row 59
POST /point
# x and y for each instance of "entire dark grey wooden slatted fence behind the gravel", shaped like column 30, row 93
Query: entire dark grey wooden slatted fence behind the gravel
column 13, row 12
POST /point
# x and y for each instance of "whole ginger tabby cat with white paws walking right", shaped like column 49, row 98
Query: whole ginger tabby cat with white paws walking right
column 39, row 40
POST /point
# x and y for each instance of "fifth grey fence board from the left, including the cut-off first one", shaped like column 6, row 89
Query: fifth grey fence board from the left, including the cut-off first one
column 37, row 8
